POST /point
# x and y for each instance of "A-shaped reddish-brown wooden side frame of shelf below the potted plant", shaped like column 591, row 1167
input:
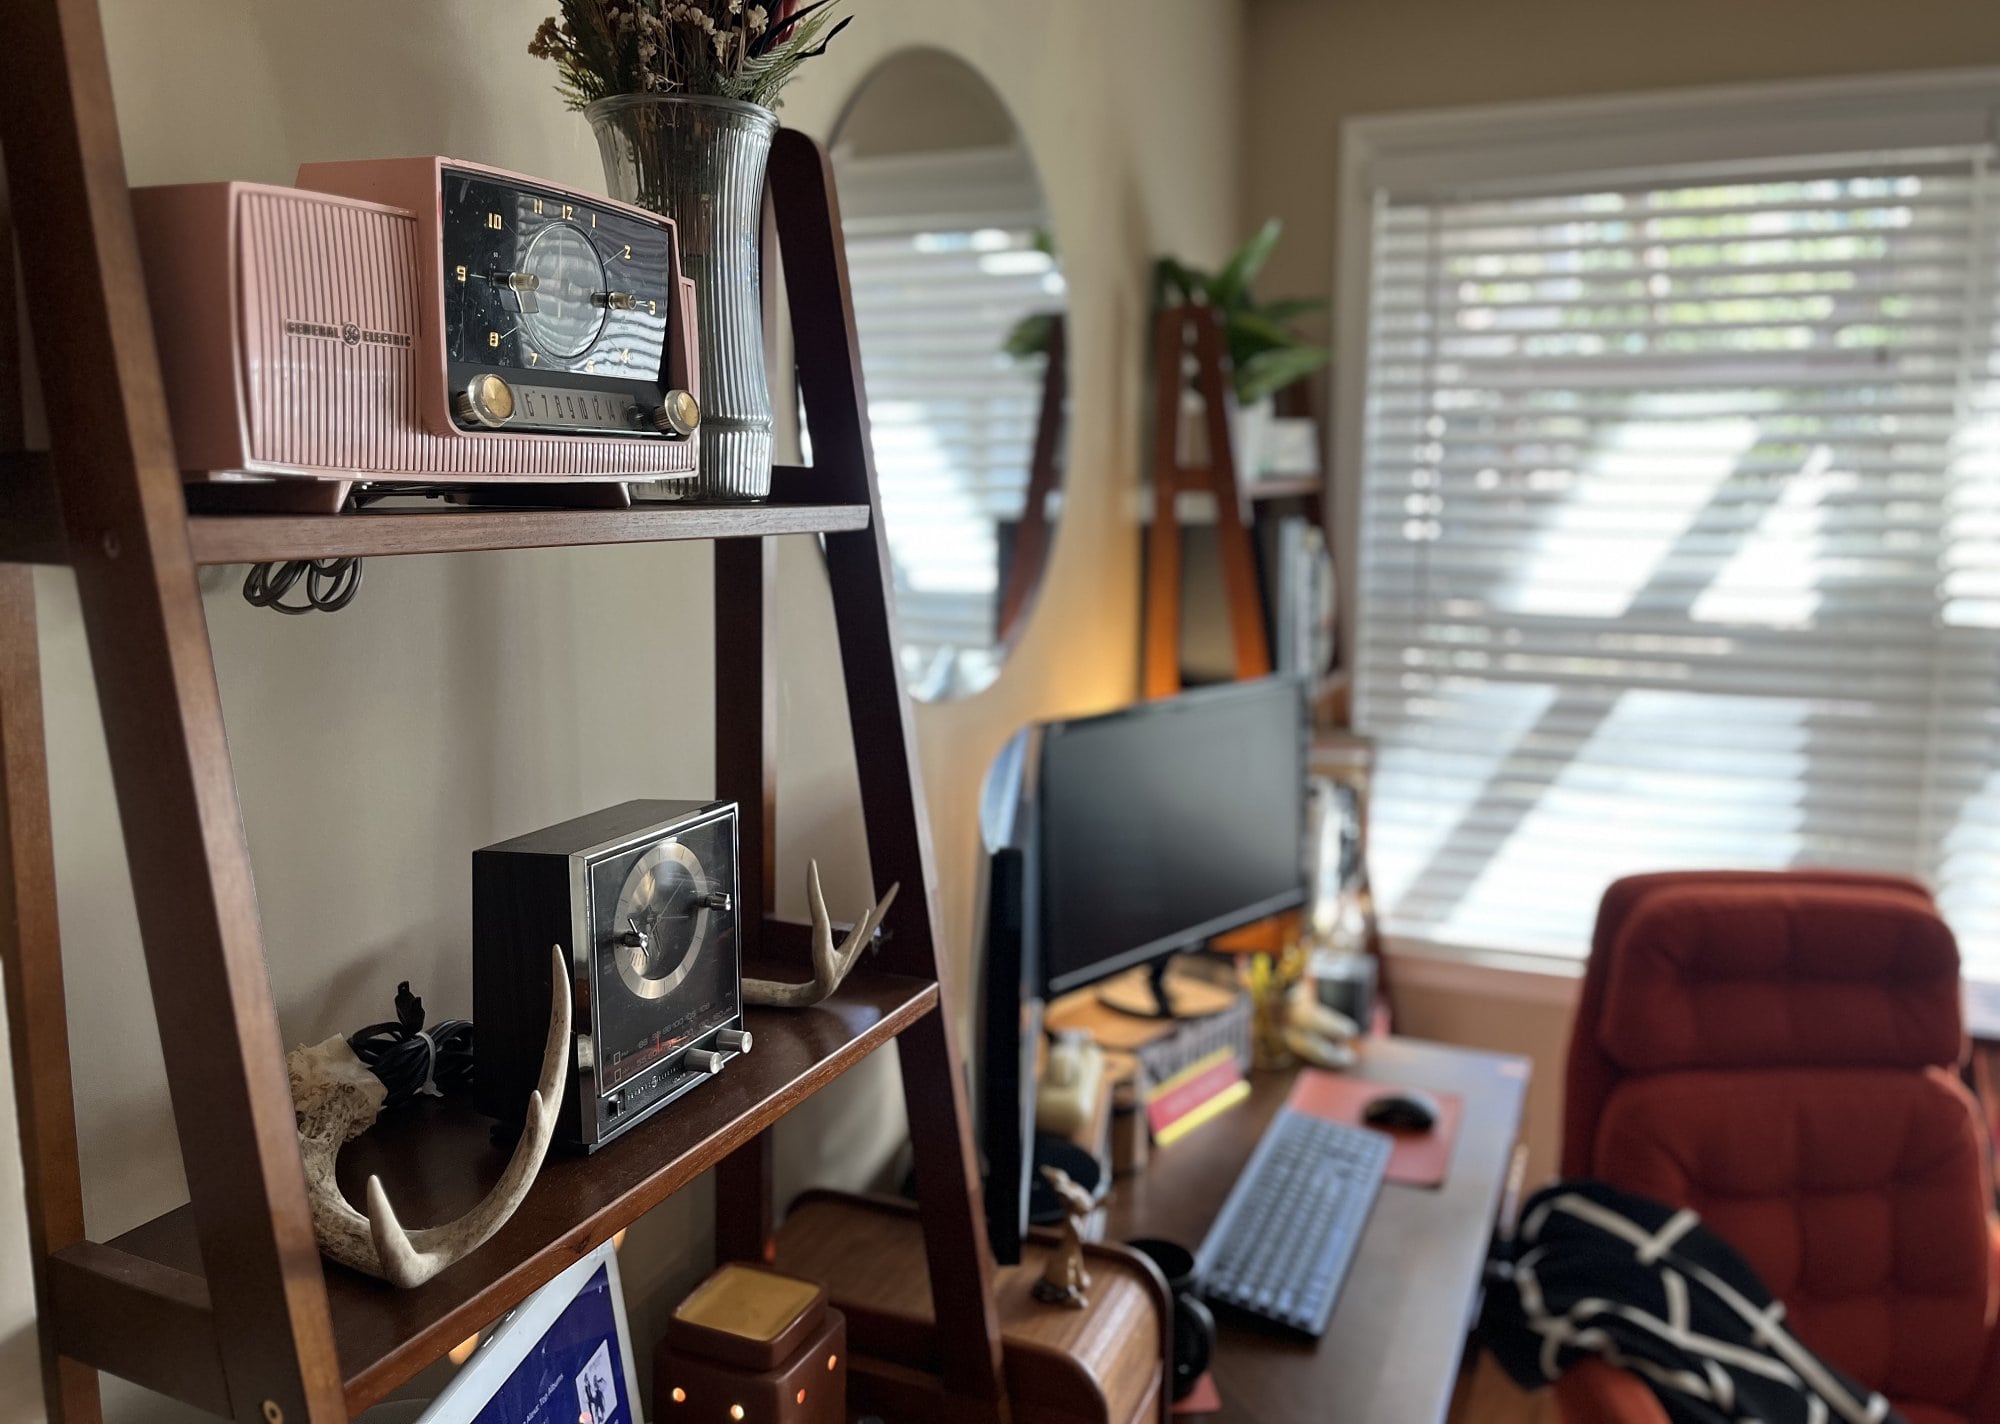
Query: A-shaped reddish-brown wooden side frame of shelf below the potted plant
column 1193, row 337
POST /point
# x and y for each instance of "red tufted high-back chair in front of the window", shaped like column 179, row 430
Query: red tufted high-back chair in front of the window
column 1777, row 1053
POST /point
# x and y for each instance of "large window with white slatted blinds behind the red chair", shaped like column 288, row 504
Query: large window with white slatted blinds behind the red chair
column 1681, row 543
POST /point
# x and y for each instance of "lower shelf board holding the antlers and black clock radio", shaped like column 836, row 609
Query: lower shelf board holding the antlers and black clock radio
column 437, row 1161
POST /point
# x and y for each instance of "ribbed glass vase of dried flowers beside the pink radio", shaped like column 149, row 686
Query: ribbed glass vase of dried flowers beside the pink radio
column 681, row 97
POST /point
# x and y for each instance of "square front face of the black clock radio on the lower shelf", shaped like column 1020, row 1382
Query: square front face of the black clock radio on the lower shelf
column 665, row 949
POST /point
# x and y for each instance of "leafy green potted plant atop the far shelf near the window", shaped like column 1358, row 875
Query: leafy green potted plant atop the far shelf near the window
column 1265, row 353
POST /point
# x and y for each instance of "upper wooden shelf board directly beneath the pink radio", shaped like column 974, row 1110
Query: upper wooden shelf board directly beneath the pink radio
column 257, row 539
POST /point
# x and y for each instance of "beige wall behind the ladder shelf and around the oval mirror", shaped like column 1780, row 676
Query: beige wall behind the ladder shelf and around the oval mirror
column 467, row 699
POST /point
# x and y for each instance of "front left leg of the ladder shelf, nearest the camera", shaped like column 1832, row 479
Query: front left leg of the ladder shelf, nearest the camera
column 125, row 515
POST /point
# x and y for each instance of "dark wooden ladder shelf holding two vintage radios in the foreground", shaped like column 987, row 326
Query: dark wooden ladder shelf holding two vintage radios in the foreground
column 227, row 1303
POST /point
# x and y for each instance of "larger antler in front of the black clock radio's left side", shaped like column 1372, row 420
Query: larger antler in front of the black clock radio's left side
column 339, row 1099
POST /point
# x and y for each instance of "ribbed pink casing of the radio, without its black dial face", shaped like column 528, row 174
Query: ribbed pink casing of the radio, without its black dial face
column 301, row 335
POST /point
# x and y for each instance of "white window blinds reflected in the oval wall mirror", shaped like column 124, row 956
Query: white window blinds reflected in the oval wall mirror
column 945, row 261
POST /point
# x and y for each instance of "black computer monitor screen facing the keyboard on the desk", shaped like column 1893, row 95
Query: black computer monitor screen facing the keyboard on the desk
column 1169, row 823
